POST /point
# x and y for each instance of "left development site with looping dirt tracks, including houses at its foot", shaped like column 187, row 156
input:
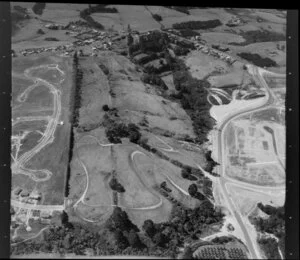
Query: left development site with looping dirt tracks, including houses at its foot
column 41, row 129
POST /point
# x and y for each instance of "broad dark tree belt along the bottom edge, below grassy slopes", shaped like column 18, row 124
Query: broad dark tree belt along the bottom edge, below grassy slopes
column 121, row 236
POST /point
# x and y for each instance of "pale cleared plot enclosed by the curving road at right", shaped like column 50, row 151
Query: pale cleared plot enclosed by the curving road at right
column 251, row 151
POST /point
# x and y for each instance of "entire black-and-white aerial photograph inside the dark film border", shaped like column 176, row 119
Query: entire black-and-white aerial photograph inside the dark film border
column 142, row 131
